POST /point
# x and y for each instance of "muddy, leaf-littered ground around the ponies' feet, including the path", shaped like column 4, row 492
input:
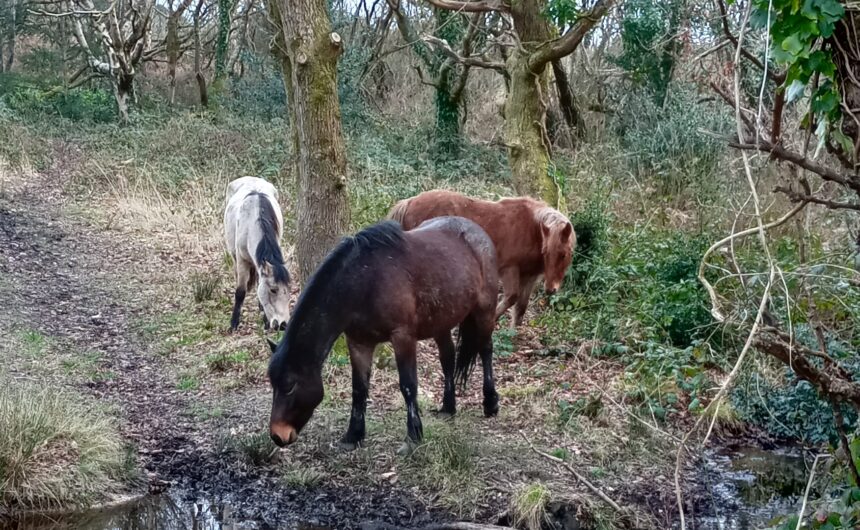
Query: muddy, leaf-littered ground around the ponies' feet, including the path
column 89, row 300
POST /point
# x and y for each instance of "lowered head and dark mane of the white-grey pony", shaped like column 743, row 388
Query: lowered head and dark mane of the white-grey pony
column 273, row 286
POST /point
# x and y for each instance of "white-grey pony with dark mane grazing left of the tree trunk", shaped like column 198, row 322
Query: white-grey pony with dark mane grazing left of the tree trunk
column 253, row 224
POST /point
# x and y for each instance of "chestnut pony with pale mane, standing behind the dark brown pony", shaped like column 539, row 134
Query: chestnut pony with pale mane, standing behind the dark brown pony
column 531, row 239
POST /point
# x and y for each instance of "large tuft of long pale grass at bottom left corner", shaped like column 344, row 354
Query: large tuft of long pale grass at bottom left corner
column 56, row 449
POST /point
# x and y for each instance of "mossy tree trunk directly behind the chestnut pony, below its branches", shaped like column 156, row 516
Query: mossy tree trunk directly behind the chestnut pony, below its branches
column 525, row 134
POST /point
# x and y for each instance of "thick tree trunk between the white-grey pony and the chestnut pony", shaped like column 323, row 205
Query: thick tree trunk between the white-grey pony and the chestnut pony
column 312, row 50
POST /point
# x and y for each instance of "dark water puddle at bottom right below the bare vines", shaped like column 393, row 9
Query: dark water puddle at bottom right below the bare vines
column 749, row 486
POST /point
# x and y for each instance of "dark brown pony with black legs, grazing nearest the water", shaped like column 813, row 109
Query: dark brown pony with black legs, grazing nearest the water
column 387, row 285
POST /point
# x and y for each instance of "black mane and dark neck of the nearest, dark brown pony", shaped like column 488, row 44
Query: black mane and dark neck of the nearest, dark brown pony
column 326, row 292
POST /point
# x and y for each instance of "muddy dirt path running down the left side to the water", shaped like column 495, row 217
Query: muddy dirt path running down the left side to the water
column 83, row 288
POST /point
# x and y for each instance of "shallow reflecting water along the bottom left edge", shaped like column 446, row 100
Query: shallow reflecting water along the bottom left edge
column 154, row 512
